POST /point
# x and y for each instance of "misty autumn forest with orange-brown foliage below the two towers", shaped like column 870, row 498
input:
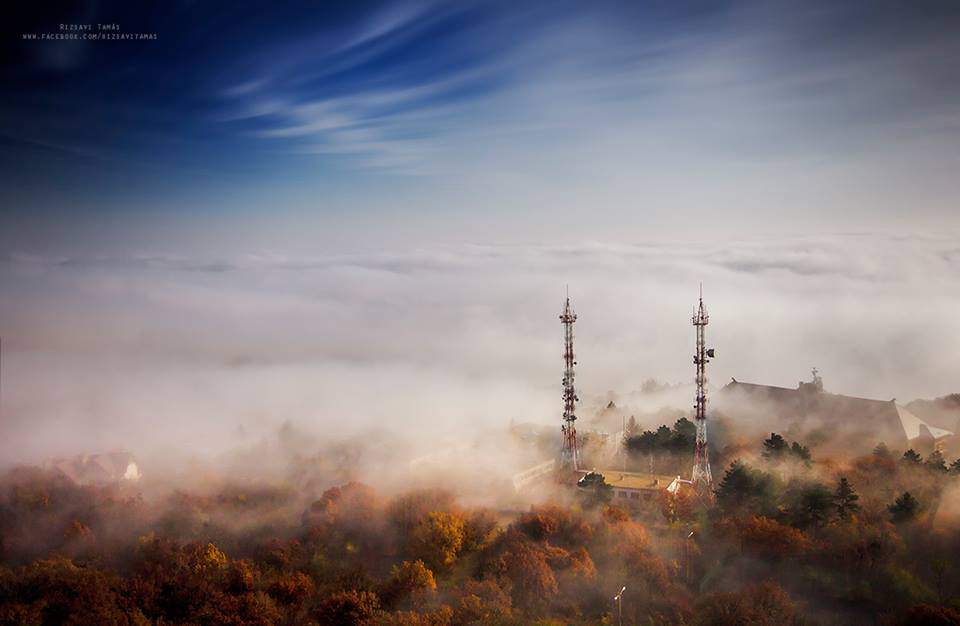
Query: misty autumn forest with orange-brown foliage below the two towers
column 784, row 538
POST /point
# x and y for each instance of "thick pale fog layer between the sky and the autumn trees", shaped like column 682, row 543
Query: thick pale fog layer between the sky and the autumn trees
column 175, row 357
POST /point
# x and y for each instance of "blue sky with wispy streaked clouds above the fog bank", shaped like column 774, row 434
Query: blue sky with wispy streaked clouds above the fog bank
column 488, row 121
